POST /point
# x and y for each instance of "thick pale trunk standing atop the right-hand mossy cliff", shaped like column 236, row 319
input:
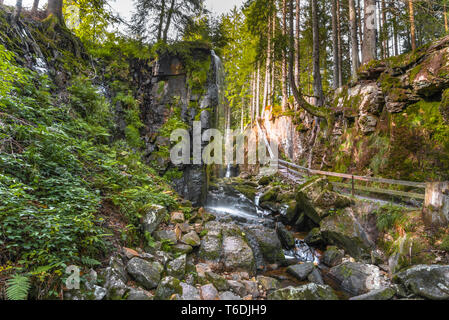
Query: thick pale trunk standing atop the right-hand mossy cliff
column 369, row 38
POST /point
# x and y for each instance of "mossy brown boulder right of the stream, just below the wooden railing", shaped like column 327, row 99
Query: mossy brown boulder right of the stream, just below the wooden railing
column 344, row 230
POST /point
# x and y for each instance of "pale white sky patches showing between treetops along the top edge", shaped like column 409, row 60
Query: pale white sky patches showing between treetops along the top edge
column 124, row 7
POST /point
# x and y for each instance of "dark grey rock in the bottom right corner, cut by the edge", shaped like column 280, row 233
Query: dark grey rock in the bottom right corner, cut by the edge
column 426, row 281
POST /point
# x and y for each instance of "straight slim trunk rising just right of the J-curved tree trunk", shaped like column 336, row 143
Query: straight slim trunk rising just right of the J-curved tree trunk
column 317, row 84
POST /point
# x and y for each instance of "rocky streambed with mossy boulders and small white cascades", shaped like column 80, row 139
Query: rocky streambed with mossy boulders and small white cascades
column 262, row 239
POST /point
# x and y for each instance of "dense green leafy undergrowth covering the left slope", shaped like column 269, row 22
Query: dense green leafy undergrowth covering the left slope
column 62, row 176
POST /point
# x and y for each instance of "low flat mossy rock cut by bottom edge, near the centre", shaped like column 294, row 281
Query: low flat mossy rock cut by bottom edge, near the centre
column 311, row 291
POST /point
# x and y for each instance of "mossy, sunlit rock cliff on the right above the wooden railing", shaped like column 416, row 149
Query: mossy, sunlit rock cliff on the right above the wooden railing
column 393, row 122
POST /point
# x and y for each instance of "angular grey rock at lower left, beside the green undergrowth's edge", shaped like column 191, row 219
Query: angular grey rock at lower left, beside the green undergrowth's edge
column 148, row 274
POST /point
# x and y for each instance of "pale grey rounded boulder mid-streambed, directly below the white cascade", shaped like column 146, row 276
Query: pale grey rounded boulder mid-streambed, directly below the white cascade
column 237, row 255
